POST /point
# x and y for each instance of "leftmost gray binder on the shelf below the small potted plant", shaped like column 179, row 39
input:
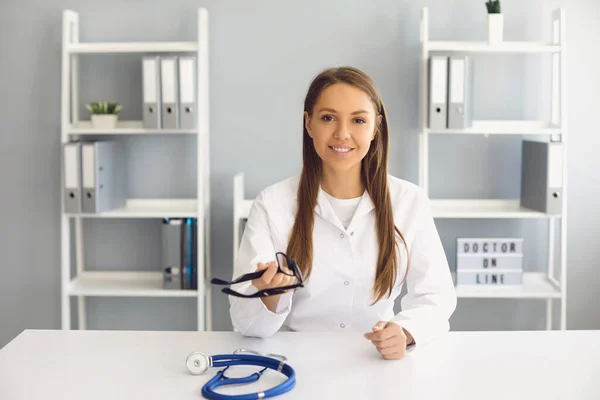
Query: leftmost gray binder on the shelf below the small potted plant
column 72, row 177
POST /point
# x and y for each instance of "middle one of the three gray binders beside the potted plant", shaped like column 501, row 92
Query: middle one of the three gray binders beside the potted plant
column 169, row 92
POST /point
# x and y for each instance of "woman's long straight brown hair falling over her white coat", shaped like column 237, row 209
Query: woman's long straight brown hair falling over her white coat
column 373, row 173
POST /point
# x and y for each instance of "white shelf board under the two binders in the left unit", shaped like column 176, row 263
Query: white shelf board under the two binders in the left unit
column 150, row 208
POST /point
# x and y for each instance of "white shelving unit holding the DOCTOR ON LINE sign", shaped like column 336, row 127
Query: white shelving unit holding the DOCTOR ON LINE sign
column 535, row 285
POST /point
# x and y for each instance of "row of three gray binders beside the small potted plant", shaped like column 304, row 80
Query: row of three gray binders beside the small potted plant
column 169, row 92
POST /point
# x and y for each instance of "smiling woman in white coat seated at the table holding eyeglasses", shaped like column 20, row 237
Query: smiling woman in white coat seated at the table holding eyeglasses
column 356, row 233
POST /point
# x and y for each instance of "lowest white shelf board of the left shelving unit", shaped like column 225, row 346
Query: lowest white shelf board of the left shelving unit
column 124, row 284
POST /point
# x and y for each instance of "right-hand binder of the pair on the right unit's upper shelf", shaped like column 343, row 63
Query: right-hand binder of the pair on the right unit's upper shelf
column 460, row 92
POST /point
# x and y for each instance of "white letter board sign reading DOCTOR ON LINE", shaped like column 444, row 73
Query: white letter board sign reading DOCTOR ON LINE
column 492, row 262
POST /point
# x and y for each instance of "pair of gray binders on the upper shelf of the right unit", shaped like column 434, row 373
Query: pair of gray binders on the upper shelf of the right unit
column 450, row 92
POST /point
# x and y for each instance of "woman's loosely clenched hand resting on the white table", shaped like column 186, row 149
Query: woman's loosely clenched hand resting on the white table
column 390, row 339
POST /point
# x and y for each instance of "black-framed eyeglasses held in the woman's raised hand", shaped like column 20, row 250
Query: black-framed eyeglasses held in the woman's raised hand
column 289, row 268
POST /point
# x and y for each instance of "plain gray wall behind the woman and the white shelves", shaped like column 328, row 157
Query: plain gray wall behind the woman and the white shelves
column 263, row 55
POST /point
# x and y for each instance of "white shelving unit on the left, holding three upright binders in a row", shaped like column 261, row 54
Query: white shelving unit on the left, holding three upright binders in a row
column 134, row 284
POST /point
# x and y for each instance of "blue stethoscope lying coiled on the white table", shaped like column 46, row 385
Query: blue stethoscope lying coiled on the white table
column 198, row 363
